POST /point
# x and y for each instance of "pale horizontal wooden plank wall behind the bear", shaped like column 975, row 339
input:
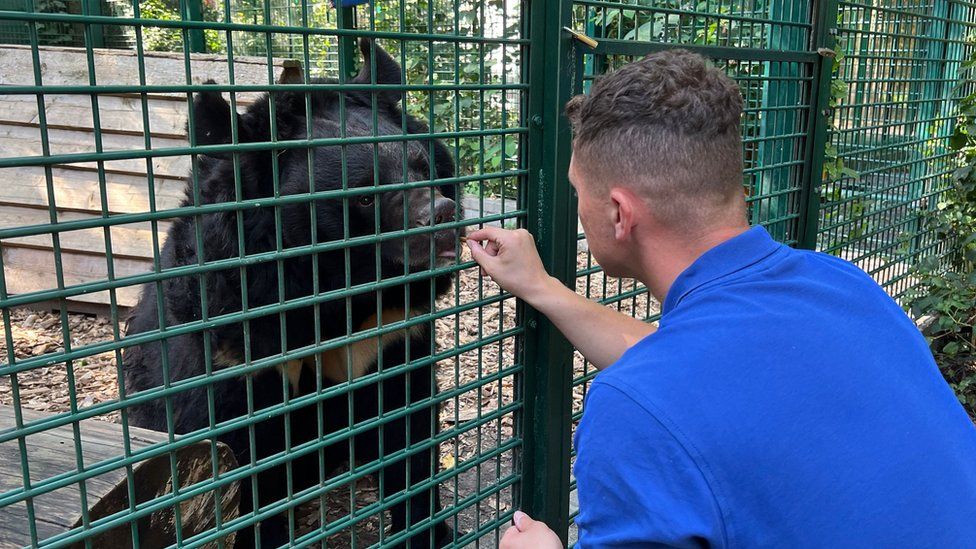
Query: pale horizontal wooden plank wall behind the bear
column 24, row 200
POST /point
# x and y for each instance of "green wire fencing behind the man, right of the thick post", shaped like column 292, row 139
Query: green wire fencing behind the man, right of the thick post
column 886, row 138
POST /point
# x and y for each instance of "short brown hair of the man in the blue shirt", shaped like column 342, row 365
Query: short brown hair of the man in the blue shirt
column 668, row 125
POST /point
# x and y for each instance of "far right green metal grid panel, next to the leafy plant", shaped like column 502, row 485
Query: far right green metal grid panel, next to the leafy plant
column 891, row 132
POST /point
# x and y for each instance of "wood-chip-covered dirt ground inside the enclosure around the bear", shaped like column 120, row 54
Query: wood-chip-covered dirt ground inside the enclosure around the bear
column 95, row 379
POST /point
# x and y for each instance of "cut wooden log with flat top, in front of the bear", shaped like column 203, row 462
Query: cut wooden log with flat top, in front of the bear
column 52, row 452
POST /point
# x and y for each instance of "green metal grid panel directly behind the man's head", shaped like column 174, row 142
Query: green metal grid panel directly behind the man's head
column 765, row 46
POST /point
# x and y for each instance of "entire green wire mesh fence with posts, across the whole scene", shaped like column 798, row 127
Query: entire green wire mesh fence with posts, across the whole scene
column 262, row 202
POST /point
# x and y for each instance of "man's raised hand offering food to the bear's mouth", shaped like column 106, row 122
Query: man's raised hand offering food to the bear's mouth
column 511, row 260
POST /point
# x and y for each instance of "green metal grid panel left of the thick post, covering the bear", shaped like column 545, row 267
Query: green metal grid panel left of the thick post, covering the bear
column 463, row 64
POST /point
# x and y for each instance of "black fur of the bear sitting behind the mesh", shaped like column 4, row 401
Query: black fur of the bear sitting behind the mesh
column 261, row 338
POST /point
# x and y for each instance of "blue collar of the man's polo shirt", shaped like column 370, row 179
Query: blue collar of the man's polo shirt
column 730, row 256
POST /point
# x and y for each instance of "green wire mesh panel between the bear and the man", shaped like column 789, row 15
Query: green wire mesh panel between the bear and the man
column 301, row 303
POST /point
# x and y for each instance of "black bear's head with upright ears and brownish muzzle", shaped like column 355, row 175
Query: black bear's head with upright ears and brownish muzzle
column 378, row 178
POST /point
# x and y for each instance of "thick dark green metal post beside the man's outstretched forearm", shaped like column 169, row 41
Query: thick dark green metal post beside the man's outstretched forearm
column 551, row 217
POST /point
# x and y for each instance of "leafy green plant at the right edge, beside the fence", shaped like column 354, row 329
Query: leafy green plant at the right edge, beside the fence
column 946, row 293
